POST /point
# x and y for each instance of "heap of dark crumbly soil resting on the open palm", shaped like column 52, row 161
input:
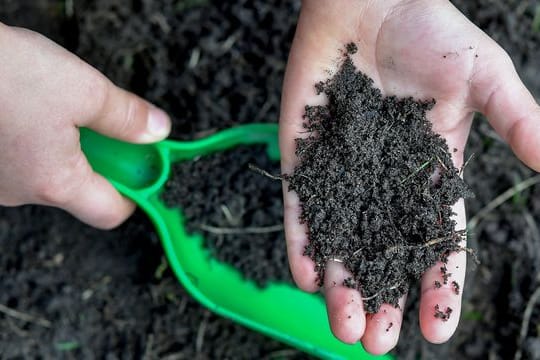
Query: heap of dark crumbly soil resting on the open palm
column 367, row 188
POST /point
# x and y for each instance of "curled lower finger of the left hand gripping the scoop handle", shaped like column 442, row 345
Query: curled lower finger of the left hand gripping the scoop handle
column 89, row 197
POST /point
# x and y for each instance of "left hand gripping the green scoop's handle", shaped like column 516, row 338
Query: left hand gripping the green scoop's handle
column 46, row 93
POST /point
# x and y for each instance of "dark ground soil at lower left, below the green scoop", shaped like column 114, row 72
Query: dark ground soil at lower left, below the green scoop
column 92, row 294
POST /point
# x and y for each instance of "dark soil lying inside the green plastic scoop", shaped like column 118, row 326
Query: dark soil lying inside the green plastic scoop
column 238, row 211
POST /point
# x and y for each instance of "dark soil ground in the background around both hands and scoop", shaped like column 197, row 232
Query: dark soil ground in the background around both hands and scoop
column 110, row 294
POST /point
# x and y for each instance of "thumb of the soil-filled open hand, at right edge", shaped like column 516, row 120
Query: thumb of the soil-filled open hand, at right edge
column 498, row 92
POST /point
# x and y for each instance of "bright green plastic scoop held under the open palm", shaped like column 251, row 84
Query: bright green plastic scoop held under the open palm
column 281, row 310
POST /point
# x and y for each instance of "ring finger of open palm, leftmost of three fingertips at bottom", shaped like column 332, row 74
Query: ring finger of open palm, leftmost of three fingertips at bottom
column 344, row 305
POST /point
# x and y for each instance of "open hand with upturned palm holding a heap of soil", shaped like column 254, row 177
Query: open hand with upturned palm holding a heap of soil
column 425, row 49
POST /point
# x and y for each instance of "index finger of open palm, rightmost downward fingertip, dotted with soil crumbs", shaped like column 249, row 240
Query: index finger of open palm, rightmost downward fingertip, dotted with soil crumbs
column 440, row 303
